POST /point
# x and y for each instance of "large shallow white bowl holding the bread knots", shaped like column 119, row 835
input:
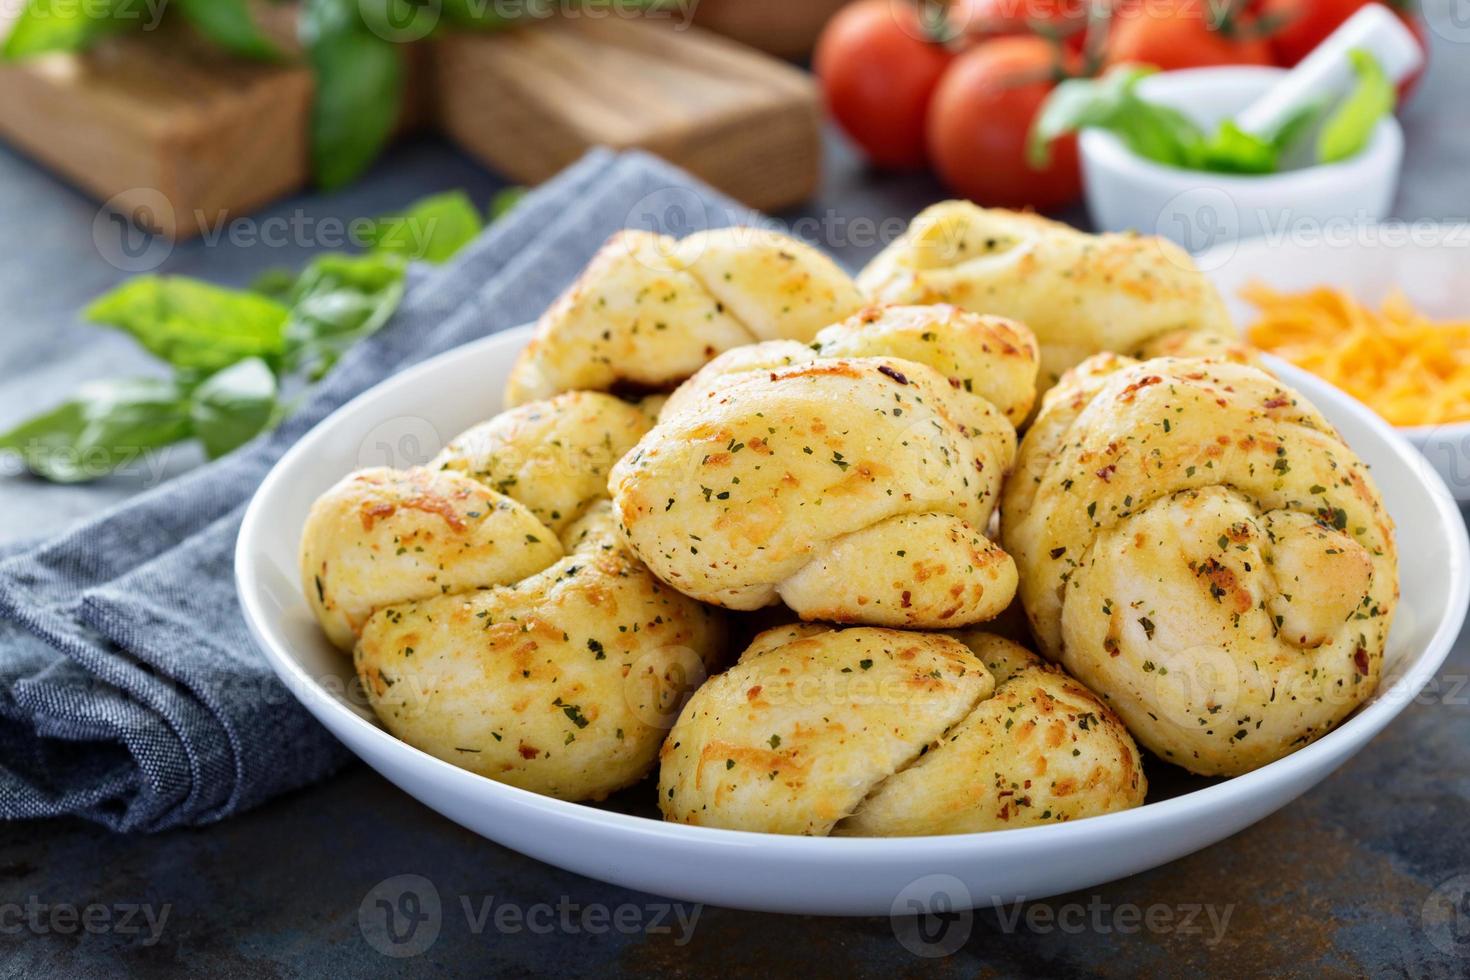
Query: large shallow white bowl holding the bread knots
column 401, row 422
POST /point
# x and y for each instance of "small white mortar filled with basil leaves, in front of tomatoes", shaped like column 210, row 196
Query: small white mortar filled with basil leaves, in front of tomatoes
column 1199, row 209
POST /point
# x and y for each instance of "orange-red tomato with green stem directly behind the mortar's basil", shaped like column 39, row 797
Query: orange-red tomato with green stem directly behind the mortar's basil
column 1186, row 35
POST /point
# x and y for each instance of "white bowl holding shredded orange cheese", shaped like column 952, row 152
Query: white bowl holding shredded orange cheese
column 1431, row 264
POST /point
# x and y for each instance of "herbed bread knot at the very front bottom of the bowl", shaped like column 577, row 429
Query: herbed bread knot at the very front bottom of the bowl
column 881, row 732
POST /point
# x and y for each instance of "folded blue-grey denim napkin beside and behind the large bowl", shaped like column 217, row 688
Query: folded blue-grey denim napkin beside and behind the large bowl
column 130, row 690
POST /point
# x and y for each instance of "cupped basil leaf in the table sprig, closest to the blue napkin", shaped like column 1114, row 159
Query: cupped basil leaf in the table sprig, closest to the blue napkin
column 337, row 302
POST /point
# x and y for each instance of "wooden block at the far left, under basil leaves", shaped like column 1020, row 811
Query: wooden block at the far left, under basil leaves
column 162, row 114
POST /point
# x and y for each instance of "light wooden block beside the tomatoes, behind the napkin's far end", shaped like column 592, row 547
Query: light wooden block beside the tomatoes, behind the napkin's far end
column 533, row 101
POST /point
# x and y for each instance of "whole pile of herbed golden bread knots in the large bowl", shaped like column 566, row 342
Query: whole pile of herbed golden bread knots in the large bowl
column 709, row 427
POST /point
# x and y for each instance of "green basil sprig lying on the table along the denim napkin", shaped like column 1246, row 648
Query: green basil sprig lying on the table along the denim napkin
column 233, row 352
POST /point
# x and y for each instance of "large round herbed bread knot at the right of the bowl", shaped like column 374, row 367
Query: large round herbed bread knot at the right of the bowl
column 1197, row 544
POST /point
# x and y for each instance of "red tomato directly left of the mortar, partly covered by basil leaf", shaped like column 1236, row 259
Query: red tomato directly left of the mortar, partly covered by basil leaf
column 980, row 120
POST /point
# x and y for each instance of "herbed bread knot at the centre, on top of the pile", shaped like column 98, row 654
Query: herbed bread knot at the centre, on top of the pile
column 855, row 489
